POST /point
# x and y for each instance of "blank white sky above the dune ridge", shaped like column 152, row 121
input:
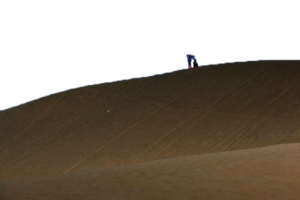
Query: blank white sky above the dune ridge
column 55, row 45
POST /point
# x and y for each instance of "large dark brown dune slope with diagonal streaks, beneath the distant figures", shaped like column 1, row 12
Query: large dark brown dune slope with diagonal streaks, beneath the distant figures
column 189, row 112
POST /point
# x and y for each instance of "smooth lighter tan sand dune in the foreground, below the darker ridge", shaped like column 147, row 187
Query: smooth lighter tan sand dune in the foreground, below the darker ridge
column 267, row 173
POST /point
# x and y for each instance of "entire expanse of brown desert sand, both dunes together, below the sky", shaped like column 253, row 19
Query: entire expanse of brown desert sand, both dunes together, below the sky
column 228, row 131
